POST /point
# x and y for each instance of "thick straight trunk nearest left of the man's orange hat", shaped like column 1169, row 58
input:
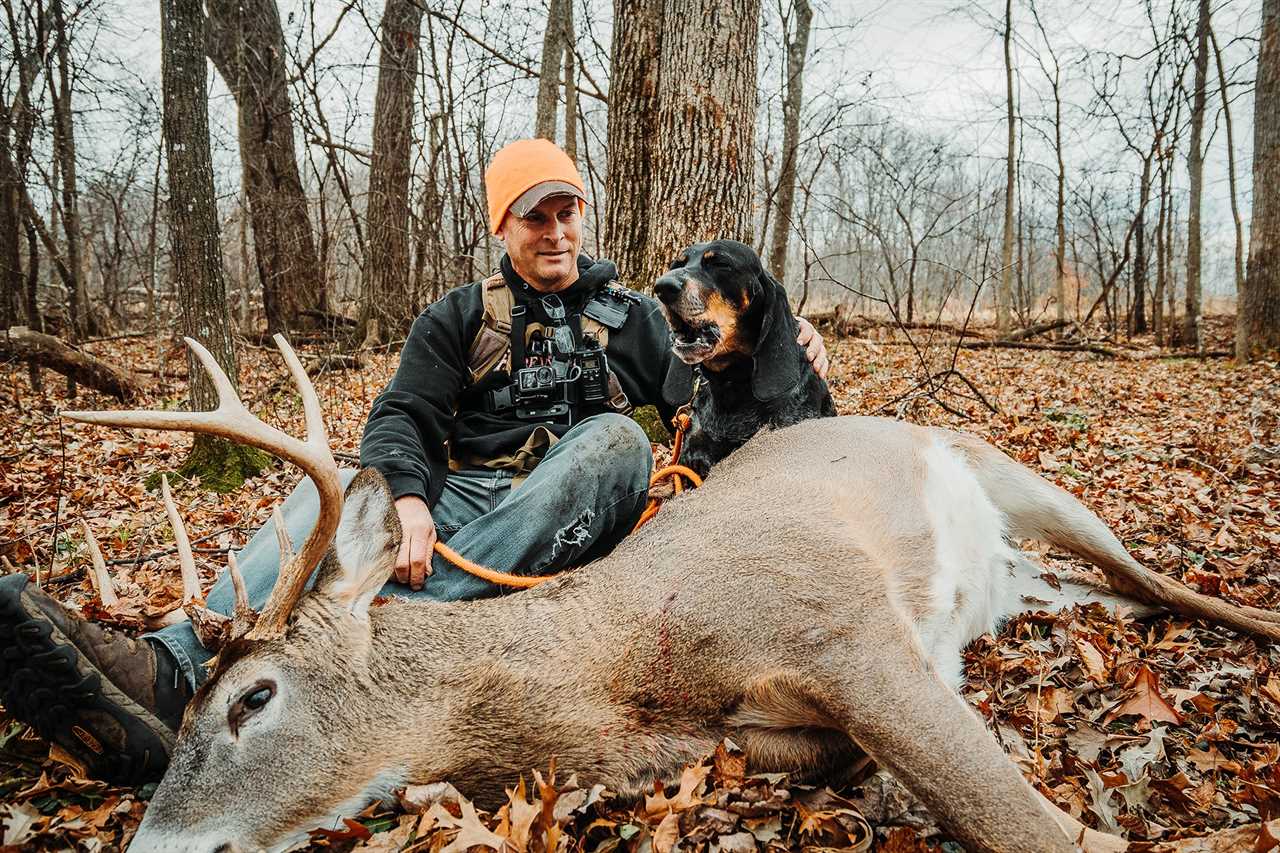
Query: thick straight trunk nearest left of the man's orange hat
column 385, row 280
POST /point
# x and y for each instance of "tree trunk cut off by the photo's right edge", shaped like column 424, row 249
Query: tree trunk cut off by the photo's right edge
column 1260, row 309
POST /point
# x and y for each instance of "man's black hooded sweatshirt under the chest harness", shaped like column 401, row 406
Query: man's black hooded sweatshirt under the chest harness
column 429, row 402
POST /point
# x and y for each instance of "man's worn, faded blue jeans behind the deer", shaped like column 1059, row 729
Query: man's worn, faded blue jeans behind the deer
column 580, row 501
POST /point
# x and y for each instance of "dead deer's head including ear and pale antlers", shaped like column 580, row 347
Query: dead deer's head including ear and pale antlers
column 300, row 668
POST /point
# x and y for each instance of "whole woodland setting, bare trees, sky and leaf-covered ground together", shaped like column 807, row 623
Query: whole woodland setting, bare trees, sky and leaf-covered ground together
column 1054, row 225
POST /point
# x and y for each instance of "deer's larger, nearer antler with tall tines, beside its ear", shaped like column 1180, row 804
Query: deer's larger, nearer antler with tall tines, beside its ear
column 232, row 421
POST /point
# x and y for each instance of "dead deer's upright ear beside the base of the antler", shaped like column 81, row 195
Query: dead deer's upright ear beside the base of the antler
column 365, row 546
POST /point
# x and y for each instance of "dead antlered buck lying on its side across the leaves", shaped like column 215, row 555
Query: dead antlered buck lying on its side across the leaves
column 811, row 601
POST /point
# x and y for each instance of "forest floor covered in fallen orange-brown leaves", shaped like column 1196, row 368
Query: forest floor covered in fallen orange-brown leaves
column 1156, row 729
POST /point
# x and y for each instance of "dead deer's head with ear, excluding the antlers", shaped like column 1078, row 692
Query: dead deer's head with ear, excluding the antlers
column 278, row 715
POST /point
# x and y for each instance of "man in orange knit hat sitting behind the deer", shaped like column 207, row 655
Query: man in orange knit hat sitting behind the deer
column 504, row 432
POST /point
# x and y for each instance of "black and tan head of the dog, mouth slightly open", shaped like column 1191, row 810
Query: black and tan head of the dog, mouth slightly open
column 724, row 309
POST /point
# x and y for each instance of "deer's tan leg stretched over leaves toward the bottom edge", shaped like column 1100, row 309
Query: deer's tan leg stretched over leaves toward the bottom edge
column 895, row 706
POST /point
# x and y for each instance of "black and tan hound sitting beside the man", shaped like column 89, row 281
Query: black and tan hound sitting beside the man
column 730, row 321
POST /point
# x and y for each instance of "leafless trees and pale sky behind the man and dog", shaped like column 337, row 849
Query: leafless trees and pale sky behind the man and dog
column 1026, row 161
